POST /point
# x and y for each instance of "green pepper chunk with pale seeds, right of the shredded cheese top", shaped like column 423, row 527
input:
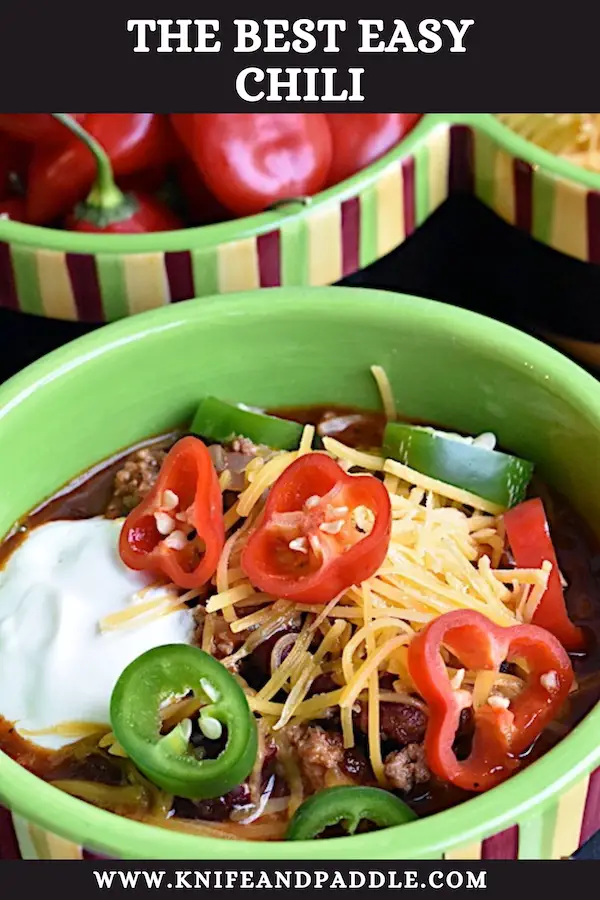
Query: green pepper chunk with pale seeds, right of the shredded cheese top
column 495, row 476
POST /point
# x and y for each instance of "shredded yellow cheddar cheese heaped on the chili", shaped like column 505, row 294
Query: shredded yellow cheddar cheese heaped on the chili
column 446, row 552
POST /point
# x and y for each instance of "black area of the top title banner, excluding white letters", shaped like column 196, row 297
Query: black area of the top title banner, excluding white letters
column 520, row 56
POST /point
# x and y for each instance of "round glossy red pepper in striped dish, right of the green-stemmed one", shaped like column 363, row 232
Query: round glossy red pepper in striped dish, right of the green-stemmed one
column 251, row 161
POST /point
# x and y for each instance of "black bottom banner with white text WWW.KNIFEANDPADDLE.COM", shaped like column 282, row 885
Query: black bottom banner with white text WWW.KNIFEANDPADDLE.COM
column 493, row 880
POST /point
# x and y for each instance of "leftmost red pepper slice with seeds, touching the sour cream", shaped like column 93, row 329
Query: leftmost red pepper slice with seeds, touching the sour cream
column 178, row 529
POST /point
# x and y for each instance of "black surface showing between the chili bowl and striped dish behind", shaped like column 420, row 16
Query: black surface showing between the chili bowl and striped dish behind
column 462, row 255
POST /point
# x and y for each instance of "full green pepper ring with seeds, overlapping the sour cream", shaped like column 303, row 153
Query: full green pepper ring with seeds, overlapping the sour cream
column 169, row 761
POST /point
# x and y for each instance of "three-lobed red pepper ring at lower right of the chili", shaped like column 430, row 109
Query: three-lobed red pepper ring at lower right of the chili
column 500, row 734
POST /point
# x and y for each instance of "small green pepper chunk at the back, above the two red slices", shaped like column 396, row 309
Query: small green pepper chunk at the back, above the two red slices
column 218, row 421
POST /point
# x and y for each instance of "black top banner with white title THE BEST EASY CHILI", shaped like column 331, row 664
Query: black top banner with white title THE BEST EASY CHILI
column 438, row 57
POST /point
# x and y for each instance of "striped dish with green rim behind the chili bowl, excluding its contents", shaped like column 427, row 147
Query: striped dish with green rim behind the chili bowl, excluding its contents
column 101, row 278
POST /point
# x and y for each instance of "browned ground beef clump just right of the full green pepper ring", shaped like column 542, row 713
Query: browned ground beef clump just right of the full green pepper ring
column 323, row 760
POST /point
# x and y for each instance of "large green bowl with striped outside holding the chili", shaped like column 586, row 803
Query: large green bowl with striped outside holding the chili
column 145, row 375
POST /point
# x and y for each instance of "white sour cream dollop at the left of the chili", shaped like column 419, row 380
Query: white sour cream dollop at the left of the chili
column 56, row 665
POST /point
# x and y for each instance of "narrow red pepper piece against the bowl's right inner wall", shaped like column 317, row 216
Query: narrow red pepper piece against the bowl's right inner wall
column 529, row 539
